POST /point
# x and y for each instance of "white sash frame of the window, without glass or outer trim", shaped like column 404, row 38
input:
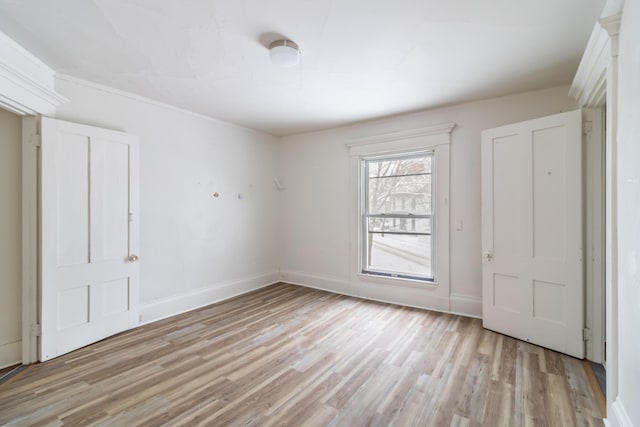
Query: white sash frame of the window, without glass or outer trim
column 365, row 215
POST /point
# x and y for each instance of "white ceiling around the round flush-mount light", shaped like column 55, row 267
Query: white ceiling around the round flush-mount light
column 361, row 59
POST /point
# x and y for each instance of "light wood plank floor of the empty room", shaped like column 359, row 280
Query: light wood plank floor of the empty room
column 287, row 355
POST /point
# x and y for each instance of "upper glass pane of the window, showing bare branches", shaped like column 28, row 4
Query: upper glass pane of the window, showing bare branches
column 399, row 194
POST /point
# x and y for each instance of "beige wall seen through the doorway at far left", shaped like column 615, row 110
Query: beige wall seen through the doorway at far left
column 10, row 239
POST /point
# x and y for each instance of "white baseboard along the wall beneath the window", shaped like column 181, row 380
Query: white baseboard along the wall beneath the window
column 409, row 297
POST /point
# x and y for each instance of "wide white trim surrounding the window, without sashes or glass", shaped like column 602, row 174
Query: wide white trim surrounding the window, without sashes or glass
column 433, row 138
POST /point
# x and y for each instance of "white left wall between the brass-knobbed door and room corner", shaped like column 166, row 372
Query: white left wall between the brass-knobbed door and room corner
column 195, row 248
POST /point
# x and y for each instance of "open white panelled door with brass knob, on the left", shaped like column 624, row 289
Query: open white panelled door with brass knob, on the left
column 89, row 229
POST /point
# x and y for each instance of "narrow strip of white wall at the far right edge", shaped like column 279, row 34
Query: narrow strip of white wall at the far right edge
column 629, row 214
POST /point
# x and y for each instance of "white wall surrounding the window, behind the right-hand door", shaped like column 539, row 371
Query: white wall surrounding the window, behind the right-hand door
column 315, row 203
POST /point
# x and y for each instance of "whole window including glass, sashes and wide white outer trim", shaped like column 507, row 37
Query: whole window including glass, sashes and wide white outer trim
column 418, row 272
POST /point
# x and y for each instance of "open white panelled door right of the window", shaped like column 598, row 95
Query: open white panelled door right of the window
column 532, row 232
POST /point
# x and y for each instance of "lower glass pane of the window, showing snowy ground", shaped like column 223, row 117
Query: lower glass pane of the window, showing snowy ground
column 400, row 254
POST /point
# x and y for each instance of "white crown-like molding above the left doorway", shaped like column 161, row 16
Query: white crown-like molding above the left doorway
column 26, row 83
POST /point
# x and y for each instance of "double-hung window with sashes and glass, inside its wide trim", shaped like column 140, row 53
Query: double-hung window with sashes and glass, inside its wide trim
column 397, row 214
